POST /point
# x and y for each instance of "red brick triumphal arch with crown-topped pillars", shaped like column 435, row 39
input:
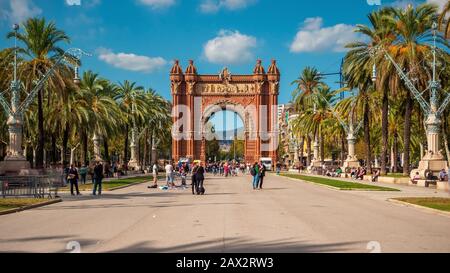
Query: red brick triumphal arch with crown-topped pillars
column 197, row 97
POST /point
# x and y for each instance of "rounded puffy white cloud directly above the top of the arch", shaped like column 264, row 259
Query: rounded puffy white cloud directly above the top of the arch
column 230, row 47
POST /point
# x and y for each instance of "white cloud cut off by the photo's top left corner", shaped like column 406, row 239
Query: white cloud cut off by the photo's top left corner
column 17, row 11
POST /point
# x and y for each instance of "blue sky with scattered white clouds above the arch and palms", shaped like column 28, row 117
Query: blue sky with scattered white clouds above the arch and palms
column 138, row 40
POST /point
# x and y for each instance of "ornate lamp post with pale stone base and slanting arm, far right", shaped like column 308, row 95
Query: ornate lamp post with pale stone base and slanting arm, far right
column 433, row 160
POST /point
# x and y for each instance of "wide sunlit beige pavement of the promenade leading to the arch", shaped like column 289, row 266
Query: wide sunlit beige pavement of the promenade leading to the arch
column 287, row 216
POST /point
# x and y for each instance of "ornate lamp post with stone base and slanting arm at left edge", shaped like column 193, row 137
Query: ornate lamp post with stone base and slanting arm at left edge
column 15, row 161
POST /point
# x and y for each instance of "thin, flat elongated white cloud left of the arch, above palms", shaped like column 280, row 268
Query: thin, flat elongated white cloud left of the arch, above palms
column 132, row 62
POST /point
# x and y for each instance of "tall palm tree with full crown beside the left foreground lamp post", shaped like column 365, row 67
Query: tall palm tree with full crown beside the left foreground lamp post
column 41, row 42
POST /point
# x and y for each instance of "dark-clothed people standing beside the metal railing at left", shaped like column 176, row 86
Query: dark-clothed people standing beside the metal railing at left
column 72, row 176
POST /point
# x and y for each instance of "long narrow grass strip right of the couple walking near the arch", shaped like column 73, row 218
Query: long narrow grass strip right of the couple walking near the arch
column 342, row 185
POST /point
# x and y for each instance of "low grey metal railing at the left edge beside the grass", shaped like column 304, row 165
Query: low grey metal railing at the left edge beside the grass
column 31, row 186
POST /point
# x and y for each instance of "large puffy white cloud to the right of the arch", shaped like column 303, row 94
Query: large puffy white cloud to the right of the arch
column 313, row 37
